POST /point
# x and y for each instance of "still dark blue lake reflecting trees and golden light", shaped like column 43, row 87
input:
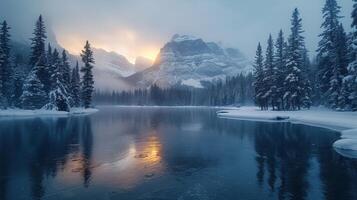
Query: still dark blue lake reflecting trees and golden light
column 167, row 153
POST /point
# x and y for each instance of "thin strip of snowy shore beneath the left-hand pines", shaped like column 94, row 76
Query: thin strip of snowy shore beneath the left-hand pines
column 39, row 113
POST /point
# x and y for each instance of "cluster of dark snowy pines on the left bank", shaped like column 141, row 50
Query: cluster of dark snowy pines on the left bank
column 47, row 81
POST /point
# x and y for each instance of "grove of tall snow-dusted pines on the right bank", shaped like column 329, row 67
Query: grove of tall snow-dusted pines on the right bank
column 286, row 79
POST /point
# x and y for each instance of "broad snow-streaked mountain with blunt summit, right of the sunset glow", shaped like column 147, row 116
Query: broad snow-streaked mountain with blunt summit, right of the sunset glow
column 188, row 60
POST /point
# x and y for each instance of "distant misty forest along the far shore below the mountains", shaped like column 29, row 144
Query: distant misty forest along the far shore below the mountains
column 235, row 90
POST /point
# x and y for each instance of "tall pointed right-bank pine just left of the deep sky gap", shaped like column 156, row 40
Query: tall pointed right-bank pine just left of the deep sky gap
column 295, row 91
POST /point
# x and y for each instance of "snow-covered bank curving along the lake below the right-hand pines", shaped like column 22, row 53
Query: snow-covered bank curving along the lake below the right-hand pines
column 344, row 122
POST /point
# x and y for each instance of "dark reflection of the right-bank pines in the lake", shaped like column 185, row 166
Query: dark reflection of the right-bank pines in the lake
column 284, row 152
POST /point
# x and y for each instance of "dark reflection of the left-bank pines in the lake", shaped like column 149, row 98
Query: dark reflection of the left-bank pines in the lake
column 41, row 148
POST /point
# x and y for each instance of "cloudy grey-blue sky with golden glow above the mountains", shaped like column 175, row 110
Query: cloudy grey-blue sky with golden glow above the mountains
column 141, row 27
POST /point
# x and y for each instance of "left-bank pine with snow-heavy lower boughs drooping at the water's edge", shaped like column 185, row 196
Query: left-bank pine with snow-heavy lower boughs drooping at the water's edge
column 58, row 96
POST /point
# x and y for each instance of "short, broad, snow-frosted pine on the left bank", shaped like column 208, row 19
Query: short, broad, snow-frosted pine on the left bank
column 34, row 95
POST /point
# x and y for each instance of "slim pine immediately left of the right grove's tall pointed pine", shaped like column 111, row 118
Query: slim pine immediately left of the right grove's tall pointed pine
column 279, row 69
